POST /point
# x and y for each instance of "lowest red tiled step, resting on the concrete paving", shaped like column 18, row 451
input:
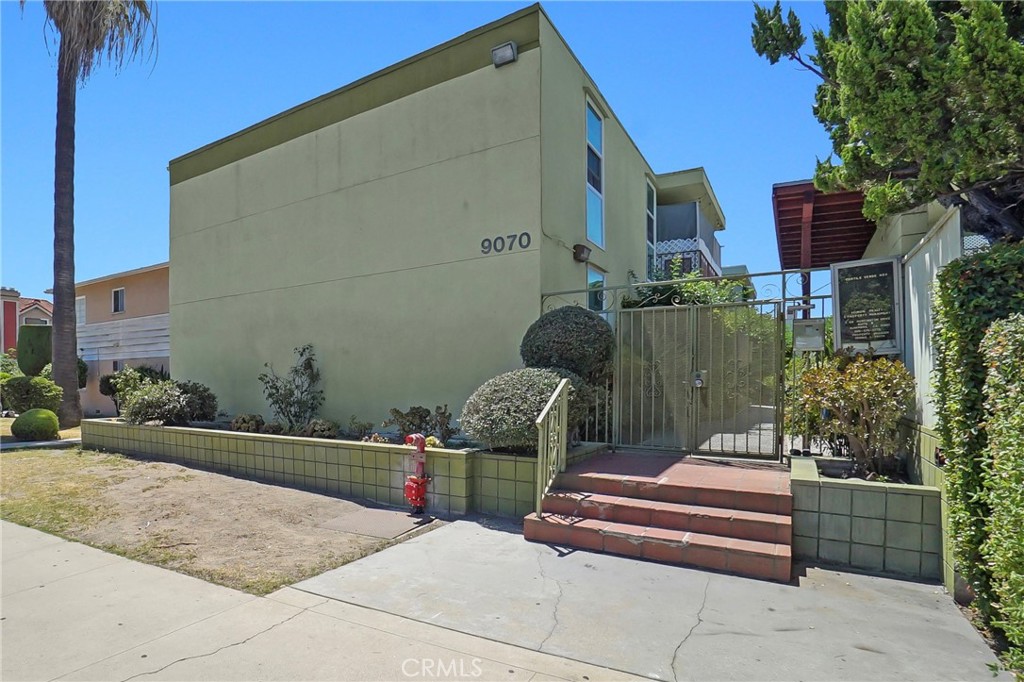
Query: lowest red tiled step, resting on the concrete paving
column 744, row 558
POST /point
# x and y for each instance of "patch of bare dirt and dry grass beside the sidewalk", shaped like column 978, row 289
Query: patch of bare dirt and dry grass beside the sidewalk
column 242, row 534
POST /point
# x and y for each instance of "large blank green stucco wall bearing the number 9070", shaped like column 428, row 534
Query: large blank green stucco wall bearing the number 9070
column 364, row 239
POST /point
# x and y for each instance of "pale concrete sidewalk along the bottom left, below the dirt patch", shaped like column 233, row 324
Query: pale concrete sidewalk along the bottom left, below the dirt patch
column 73, row 613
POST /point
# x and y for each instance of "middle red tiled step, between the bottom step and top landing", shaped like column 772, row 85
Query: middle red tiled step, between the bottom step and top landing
column 709, row 521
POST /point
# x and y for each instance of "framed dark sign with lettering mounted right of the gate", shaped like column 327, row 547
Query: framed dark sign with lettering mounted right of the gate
column 868, row 296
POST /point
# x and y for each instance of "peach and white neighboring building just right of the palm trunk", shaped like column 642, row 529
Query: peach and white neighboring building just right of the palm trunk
column 122, row 321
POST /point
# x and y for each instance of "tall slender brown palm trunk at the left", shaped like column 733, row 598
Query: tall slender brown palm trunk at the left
column 65, row 334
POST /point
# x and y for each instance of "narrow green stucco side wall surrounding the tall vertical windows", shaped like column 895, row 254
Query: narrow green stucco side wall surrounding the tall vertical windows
column 565, row 88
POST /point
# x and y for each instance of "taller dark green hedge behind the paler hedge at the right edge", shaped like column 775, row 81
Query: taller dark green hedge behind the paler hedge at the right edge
column 972, row 292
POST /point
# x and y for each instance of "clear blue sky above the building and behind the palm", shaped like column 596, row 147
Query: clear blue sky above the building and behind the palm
column 681, row 76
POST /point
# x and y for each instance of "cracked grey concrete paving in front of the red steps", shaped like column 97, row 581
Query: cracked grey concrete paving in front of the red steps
column 664, row 622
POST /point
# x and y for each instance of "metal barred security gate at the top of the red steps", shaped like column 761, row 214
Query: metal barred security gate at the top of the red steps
column 702, row 379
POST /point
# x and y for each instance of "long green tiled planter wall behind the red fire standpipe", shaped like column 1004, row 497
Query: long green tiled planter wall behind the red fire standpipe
column 461, row 481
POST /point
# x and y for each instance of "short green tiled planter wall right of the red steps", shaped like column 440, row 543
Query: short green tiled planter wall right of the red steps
column 883, row 528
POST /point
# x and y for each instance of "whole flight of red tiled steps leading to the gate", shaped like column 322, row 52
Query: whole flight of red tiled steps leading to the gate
column 695, row 516
